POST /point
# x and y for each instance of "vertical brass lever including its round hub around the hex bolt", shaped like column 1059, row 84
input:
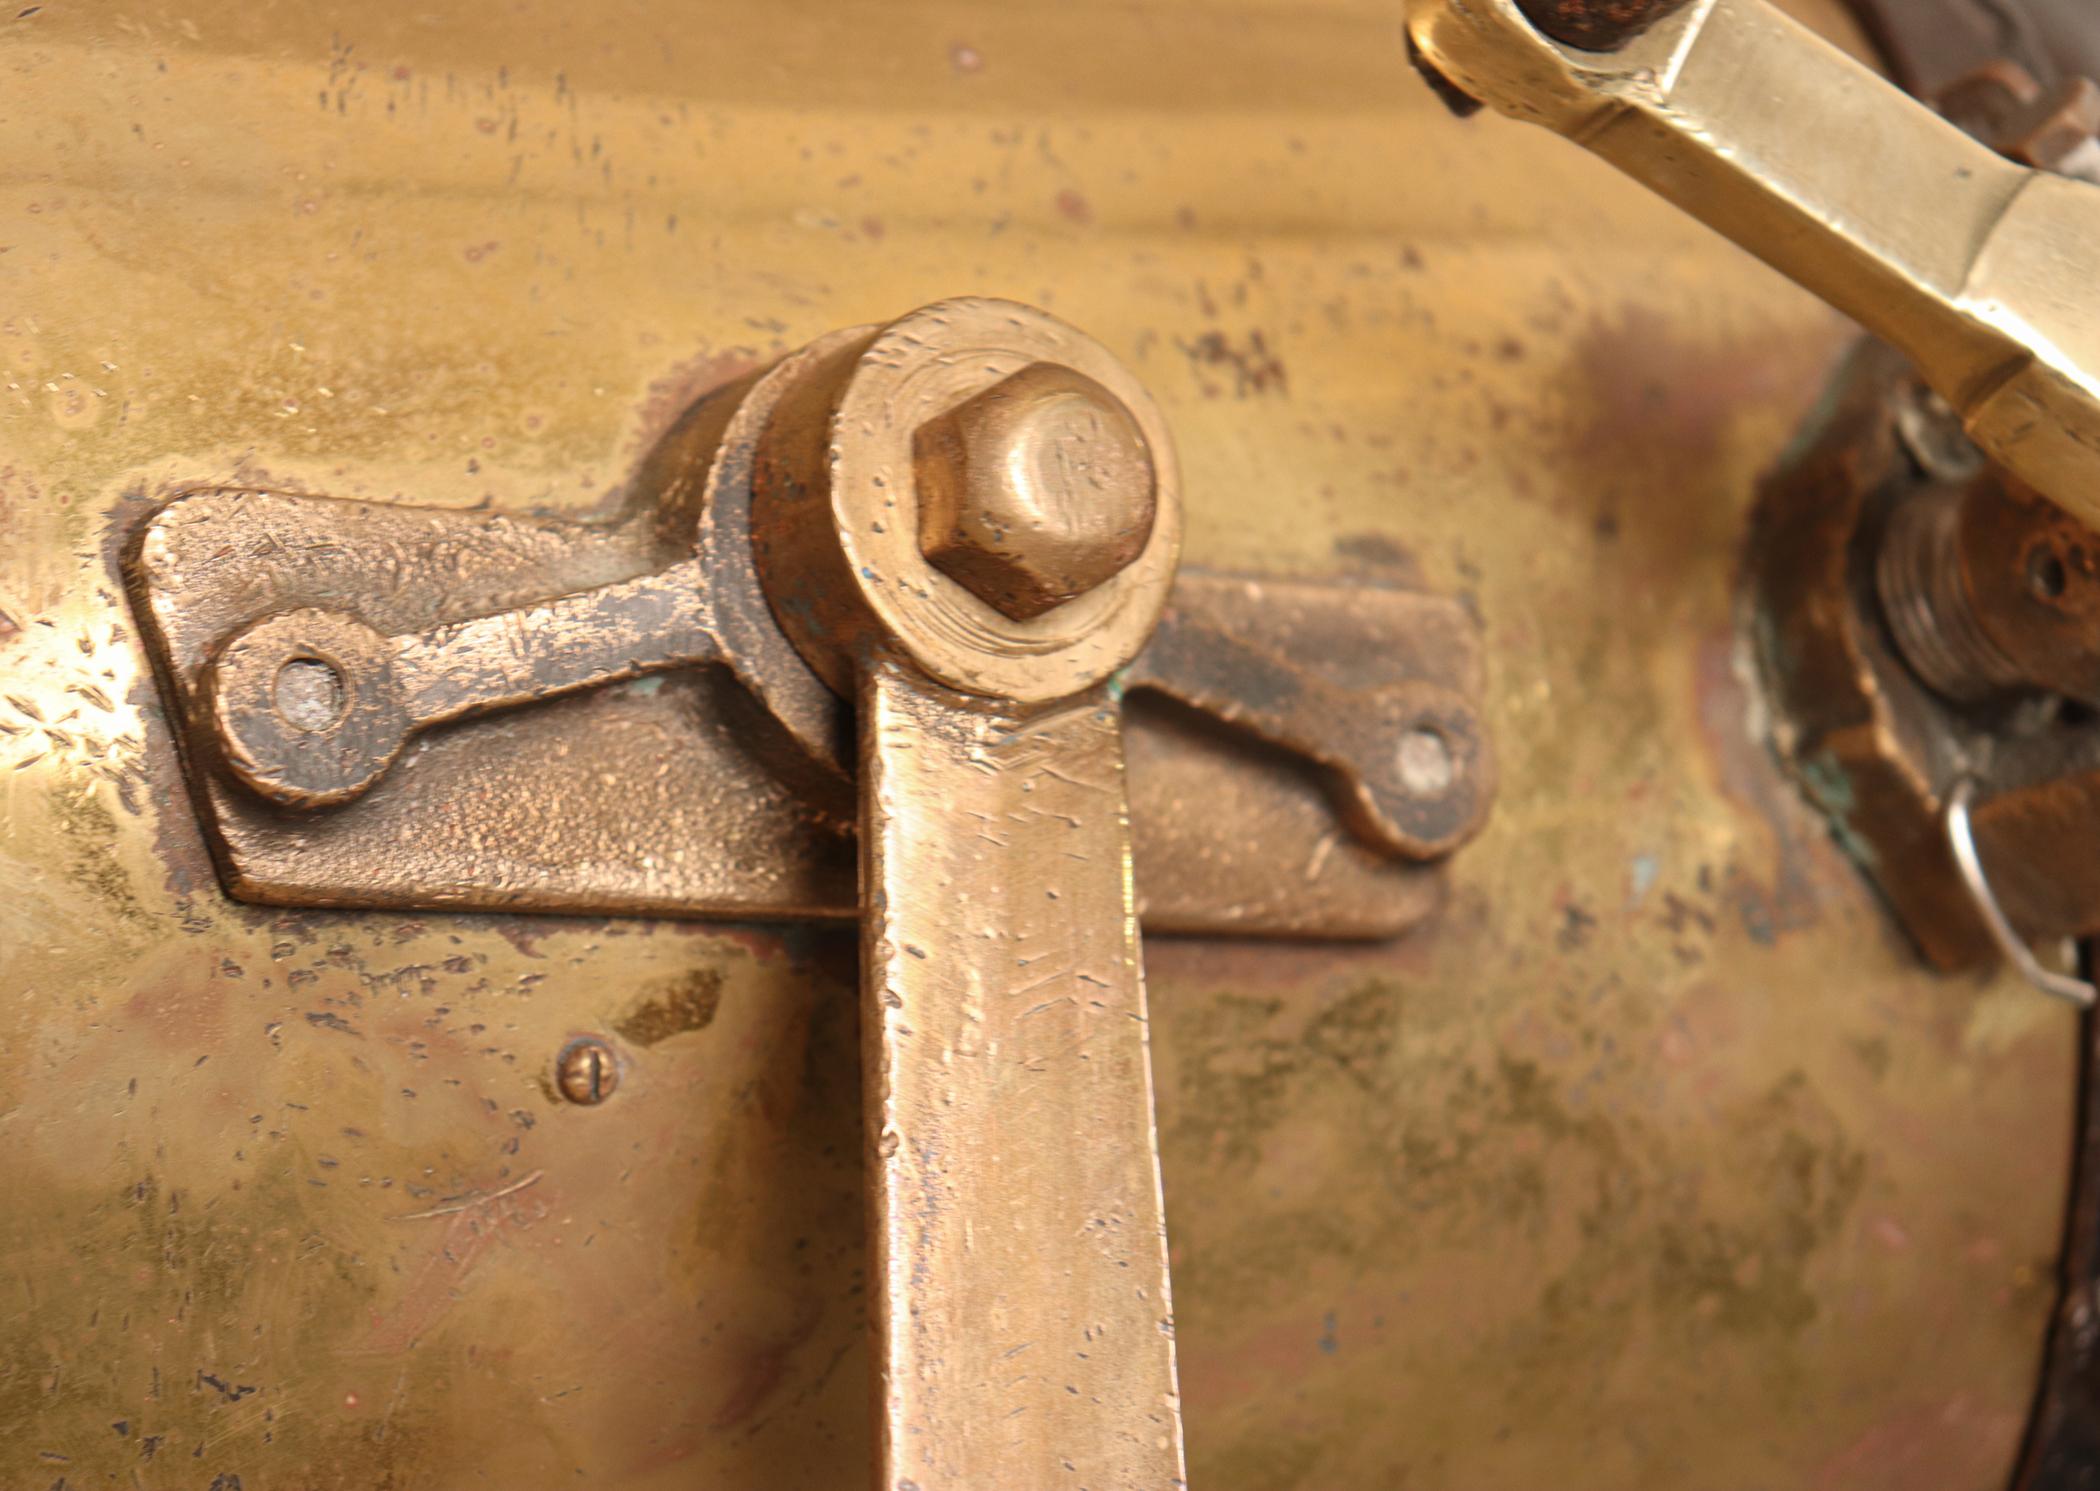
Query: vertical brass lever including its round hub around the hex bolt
column 1024, row 1326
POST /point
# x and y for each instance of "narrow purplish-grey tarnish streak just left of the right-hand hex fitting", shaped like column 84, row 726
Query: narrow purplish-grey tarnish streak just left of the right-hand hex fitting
column 1752, row 778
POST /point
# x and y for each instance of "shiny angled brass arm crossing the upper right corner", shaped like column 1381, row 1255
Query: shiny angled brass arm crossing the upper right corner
column 1977, row 268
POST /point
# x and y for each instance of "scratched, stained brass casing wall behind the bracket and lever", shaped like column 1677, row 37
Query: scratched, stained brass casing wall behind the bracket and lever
column 1656, row 1162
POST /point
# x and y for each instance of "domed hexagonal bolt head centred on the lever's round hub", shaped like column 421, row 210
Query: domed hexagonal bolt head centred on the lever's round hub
column 1036, row 490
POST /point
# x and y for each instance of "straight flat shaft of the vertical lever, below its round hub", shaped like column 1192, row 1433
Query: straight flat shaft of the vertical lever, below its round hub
column 1020, row 1232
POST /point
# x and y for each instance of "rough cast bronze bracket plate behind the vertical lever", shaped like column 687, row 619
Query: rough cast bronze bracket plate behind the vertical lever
column 679, row 795
